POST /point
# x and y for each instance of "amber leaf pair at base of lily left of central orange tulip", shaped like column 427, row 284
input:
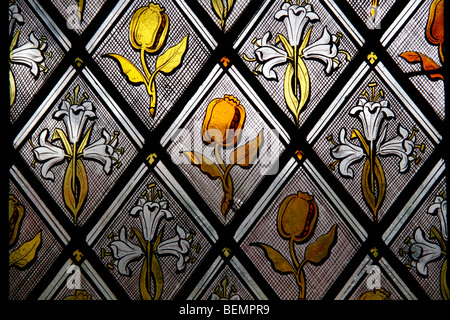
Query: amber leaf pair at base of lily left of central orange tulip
column 75, row 186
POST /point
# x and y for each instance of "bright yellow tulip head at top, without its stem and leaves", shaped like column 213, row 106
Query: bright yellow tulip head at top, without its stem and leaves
column 148, row 28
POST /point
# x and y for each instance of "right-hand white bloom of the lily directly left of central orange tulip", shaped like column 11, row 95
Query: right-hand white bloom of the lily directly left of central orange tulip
column 102, row 151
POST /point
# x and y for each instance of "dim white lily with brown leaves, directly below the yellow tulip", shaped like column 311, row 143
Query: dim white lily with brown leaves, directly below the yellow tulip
column 149, row 243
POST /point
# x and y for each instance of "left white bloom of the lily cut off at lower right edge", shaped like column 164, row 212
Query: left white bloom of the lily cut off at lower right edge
column 423, row 252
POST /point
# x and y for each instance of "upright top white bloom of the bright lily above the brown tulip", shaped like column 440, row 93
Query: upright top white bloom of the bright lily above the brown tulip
column 295, row 18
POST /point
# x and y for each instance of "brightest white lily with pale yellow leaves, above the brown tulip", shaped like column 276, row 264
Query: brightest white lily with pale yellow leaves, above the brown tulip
column 295, row 50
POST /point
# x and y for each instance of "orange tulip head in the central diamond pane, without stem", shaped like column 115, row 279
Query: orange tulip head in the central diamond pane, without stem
column 223, row 121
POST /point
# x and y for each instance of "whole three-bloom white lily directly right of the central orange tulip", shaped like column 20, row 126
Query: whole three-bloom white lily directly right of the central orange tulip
column 372, row 144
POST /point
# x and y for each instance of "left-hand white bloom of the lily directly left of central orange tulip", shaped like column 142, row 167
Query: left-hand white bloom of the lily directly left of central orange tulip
column 49, row 154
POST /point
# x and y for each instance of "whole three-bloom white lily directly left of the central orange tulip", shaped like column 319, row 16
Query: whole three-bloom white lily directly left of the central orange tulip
column 77, row 148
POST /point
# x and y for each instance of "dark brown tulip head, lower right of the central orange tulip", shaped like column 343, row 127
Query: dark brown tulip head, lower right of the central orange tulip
column 297, row 217
